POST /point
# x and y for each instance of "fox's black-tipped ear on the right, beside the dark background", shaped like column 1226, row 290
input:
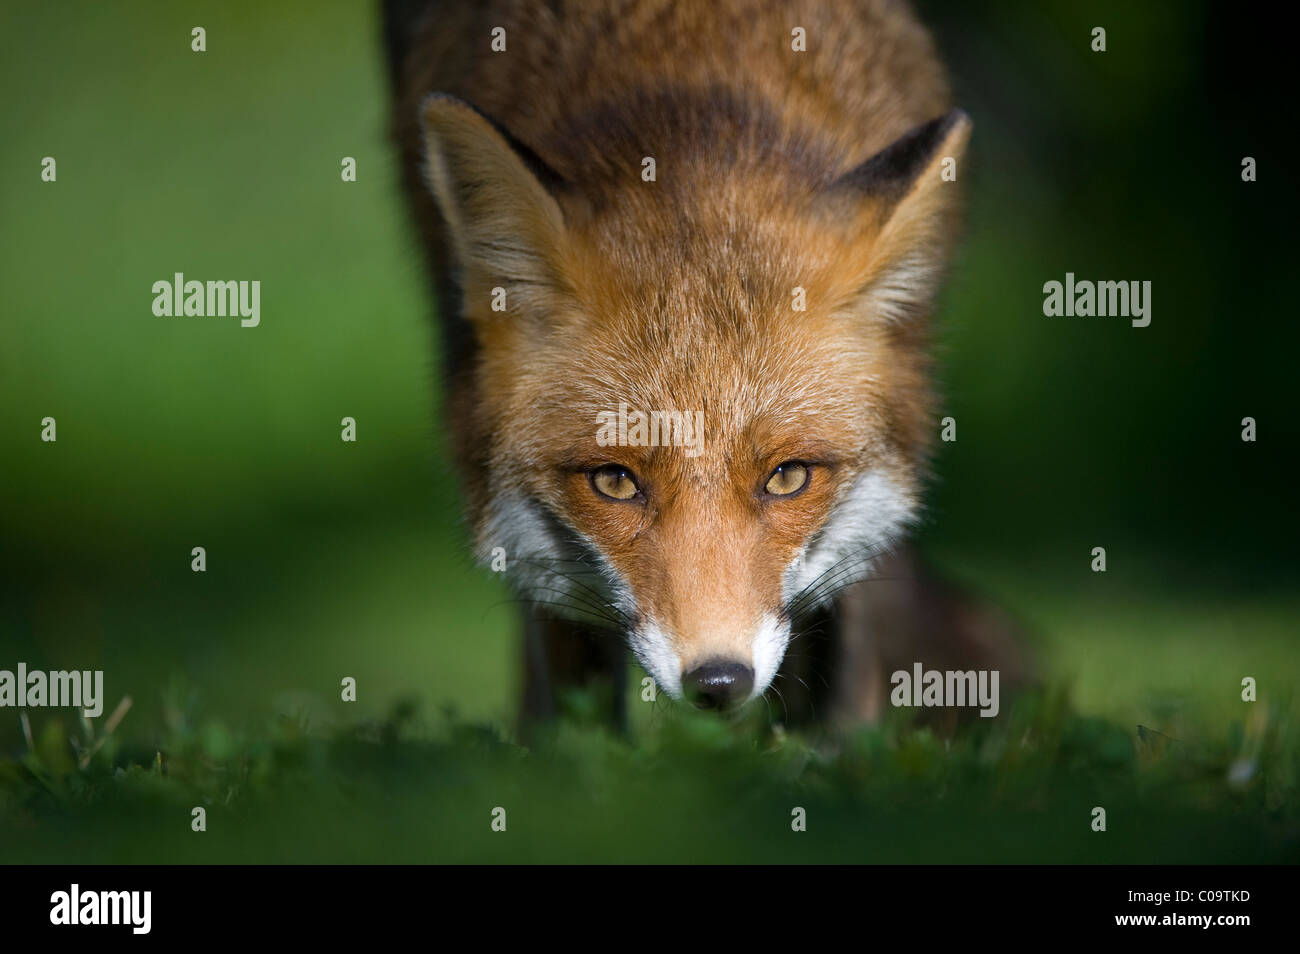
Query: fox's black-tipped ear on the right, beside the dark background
column 905, row 198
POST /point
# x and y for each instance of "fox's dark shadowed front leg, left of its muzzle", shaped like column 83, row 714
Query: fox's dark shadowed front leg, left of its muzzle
column 562, row 657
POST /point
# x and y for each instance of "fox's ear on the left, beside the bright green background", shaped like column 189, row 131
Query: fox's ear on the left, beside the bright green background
column 496, row 197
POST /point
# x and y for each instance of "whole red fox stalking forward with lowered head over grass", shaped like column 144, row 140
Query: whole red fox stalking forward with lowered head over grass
column 686, row 254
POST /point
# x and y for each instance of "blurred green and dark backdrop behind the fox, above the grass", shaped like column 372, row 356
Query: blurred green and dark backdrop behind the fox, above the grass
column 331, row 560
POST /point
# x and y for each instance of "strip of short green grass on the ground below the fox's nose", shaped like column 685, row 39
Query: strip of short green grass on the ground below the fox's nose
column 692, row 788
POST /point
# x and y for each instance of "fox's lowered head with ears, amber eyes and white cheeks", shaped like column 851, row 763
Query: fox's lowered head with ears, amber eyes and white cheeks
column 700, row 400
